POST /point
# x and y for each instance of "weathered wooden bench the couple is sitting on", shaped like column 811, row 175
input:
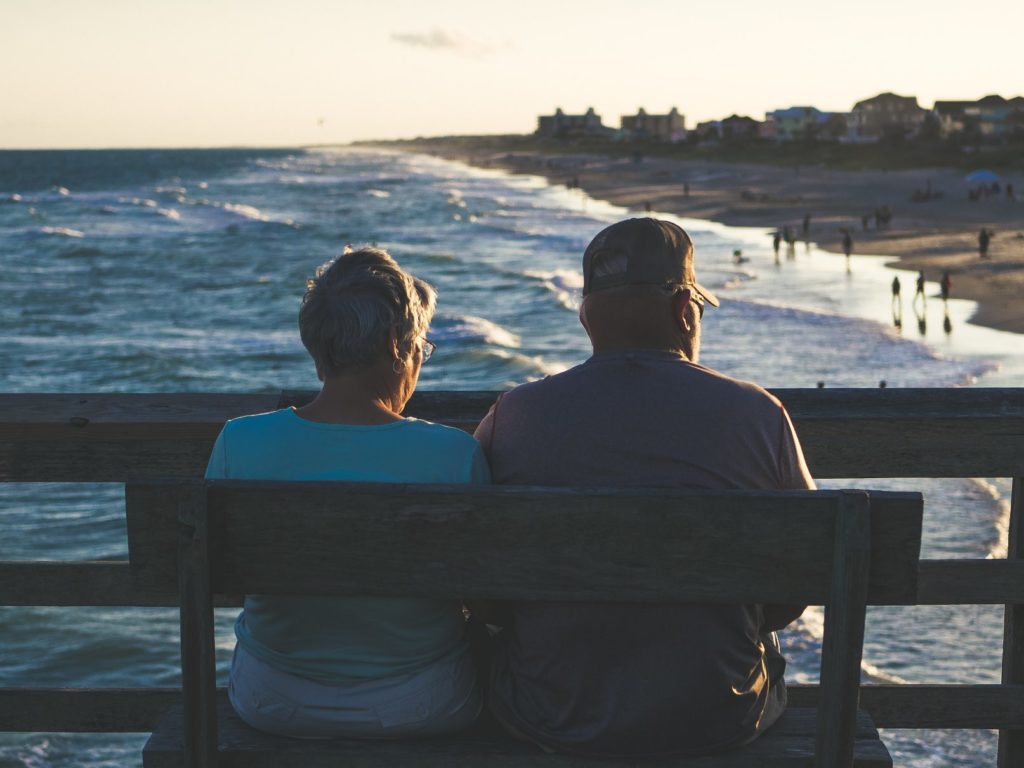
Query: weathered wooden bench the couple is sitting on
column 839, row 549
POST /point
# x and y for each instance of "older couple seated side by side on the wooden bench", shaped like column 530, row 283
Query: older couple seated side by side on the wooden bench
column 601, row 680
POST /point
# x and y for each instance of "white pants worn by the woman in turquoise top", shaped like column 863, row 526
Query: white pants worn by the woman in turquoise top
column 443, row 699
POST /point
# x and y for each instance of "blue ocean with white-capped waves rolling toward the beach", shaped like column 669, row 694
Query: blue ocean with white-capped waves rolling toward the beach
column 182, row 271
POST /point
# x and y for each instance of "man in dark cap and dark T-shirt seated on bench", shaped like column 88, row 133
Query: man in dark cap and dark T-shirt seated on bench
column 631, row 680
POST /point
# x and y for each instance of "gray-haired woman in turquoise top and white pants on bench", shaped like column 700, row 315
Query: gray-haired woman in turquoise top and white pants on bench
column 360, row 667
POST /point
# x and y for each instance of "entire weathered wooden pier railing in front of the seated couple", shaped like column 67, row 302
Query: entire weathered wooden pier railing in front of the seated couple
column 845, row 434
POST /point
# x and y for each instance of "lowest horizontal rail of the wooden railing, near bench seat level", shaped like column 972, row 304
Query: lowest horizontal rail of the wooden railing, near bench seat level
column 140, row 710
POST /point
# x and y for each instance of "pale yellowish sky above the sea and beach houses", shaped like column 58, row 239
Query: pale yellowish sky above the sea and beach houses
column 220, row 73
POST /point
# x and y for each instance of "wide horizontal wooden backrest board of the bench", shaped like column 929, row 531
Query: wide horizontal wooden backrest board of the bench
column 504, row 542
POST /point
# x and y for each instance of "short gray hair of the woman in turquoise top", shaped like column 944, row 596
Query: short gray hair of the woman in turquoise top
column 352, row 306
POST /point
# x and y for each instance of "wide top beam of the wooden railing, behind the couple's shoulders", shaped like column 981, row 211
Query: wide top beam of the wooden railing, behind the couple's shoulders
column 845, row 433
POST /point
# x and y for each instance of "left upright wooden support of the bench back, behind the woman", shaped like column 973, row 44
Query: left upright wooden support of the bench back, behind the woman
column 199, row 672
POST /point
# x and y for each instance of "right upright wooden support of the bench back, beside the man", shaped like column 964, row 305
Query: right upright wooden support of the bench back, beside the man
column 843, row 645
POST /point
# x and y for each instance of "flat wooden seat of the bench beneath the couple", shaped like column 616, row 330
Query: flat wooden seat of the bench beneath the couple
column 789, row 743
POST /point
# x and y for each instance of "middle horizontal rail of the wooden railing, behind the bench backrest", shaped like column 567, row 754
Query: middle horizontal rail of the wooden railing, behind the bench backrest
column 109, row 583
